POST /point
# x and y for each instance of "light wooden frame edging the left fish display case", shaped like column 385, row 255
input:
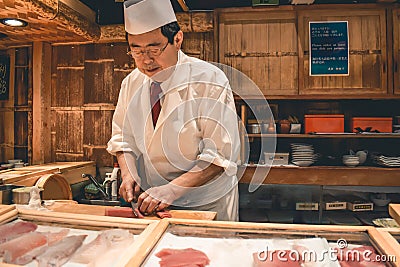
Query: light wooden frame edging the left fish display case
column 140, row 227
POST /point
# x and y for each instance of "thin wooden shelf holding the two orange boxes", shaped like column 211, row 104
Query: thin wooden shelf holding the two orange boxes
column 344, row 135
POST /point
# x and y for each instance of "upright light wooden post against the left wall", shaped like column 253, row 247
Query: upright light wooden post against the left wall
column 41, row 141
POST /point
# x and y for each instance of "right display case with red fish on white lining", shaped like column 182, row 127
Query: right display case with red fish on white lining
column 248, row 244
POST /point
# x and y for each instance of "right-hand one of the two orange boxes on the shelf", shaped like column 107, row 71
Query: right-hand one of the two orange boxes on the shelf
column 382, row 125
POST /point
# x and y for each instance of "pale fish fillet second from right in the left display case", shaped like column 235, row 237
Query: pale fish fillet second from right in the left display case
column 59, row 253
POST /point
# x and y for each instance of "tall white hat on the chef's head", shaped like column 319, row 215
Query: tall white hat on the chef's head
column 142, row 16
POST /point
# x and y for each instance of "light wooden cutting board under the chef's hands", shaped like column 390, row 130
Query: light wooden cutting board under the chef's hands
column 73, row 207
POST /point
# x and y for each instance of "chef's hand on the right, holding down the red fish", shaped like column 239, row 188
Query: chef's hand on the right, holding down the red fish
column 157, row 198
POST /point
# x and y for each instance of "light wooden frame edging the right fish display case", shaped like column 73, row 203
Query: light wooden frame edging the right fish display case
column 242, row 232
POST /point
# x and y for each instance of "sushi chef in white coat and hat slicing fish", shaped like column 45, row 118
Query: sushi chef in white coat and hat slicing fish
column 175, row 127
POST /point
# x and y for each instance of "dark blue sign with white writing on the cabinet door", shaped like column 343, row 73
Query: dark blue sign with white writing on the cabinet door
column 329, row 48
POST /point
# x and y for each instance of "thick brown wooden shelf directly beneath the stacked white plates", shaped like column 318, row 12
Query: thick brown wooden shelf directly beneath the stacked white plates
column 322, row 175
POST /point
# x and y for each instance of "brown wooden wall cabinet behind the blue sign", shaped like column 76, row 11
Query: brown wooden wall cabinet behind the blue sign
column 271, row 47
